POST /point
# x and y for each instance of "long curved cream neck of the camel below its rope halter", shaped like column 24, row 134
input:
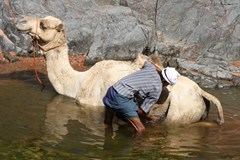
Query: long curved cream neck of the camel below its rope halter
column 63, row 77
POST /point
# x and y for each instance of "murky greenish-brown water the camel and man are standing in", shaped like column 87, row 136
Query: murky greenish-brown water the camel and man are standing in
column 37, row 124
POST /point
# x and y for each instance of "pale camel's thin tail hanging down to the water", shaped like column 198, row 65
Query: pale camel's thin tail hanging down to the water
column 215, row 101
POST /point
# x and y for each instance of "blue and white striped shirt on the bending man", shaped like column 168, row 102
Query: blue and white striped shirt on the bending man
column 146, row 81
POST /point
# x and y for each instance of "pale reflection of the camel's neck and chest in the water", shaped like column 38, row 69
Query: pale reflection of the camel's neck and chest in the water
column 62, row 110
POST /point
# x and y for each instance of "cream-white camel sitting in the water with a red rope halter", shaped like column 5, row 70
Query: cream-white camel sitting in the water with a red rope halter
column 186, row 103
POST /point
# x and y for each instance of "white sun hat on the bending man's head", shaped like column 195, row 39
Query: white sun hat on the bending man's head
column 170, row 75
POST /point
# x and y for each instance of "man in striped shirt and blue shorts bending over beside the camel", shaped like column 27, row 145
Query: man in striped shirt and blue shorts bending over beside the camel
column 147, row 84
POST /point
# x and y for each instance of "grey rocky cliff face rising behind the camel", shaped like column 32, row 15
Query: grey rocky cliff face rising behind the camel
column 199, row 37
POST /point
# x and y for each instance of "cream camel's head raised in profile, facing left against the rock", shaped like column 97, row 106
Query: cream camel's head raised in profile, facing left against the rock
column 43, row 30
